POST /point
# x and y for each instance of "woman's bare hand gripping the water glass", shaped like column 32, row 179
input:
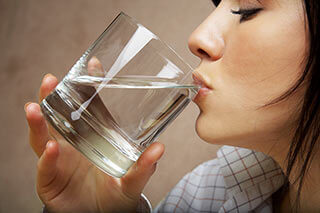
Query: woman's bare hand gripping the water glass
column 66, row 185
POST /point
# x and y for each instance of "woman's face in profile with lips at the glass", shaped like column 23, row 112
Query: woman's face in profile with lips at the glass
column 247, row 61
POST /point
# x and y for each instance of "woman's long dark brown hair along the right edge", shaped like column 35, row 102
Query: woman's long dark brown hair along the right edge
column 305, row 142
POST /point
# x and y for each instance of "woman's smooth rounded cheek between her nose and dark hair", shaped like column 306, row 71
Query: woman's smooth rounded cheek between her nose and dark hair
column 262, row 59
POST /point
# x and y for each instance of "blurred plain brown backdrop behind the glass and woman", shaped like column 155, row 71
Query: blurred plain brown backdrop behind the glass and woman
column 39, row 37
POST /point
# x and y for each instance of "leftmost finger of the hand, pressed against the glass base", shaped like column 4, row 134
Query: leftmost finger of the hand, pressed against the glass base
column 38, row 131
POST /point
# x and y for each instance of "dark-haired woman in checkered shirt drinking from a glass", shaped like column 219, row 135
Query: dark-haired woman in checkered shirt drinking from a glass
column 260, row 92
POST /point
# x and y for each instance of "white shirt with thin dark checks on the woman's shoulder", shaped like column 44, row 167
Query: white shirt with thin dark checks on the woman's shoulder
column 239, row 180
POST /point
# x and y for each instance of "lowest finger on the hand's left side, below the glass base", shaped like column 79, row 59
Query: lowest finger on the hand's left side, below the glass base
column 47, row 166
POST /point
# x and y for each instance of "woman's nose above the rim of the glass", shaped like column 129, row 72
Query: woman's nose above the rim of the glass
column 207, row 41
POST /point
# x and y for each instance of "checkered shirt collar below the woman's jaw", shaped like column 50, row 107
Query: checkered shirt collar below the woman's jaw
column 249, row 176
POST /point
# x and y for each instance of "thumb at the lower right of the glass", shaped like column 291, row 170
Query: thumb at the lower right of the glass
column 139, row 174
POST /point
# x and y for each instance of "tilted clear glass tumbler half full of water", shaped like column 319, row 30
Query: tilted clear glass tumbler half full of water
column 119, row 96
